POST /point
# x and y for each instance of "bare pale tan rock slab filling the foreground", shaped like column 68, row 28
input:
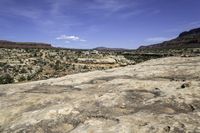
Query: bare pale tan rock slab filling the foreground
column 160, row 95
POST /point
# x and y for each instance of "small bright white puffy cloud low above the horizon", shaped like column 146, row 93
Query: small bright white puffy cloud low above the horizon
column 68, row 39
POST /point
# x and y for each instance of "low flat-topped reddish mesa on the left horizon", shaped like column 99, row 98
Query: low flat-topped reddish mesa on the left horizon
column 9, row 44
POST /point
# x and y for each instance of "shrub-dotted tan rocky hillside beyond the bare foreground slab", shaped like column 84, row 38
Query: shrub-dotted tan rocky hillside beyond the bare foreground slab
column 28, row 64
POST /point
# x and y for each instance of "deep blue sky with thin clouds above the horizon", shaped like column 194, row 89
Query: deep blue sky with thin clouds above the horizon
column 94, row 23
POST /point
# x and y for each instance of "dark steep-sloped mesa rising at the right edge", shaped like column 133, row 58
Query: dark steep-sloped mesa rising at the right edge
column 188, row 39
